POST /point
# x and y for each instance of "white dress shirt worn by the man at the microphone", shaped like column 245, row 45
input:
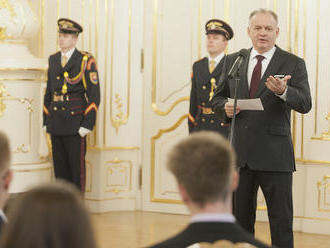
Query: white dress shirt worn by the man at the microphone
column 264, row 64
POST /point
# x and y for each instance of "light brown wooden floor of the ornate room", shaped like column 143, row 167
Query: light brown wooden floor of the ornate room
column 140, row 229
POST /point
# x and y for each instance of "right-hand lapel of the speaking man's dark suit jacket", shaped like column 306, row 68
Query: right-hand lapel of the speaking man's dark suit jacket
column 273, row 67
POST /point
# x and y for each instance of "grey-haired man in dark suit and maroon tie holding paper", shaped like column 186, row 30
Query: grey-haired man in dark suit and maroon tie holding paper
column 262, row 139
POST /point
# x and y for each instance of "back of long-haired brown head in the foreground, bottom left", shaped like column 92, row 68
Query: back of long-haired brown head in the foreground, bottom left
column 52, row 216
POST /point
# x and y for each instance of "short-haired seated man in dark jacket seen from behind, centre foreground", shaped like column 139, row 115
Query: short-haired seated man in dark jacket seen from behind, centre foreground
column 204, row 167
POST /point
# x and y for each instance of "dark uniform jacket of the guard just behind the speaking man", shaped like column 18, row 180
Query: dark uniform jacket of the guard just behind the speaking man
column 199, row 98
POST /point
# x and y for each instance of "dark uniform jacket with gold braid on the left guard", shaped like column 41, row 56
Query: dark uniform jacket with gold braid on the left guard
column 81, row 102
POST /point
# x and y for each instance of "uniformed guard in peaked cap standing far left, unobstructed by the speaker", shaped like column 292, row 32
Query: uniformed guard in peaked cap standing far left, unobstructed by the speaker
column 70, row 104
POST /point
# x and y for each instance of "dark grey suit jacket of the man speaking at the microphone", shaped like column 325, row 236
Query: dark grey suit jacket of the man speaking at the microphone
column 262, row 139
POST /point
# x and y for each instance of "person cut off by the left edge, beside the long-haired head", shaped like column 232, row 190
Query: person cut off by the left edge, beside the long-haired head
column 6, row 176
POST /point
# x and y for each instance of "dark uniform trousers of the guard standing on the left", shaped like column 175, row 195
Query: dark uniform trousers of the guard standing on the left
column 69, row 158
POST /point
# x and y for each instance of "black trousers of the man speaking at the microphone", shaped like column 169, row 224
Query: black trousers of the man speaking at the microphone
column 277, row 189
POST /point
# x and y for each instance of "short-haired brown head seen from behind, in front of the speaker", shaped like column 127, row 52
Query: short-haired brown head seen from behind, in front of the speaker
column 204, row 167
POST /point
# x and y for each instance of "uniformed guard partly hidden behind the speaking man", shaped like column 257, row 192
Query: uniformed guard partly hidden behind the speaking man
column 205, row 77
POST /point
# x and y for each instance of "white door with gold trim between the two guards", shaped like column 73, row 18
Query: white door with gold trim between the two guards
column 171, row 44
